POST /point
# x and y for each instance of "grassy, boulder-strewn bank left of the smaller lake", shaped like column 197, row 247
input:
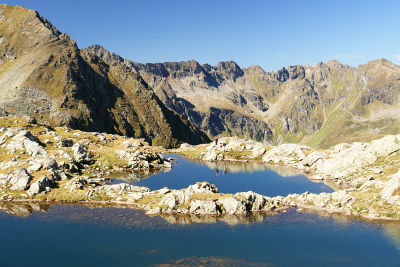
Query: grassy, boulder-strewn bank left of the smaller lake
column 37, row 161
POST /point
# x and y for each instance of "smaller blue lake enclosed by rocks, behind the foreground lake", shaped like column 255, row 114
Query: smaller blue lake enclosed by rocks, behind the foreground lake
column 234, row 177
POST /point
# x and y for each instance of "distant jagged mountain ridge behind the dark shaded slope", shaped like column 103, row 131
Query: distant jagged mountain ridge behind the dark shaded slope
column 316, row 105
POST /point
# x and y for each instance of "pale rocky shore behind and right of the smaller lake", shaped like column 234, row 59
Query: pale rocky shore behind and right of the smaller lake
column 366, row 176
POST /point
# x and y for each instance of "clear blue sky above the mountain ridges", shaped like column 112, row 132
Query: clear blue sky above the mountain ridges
column 271, row 34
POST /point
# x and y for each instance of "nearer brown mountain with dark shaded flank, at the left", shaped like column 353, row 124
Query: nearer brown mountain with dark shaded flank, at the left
column 44, row 74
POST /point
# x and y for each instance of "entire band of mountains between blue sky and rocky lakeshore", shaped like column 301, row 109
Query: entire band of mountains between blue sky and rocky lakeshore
column 42, row 72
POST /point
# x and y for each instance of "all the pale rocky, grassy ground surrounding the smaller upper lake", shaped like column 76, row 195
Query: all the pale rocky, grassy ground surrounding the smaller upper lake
column 59, row 165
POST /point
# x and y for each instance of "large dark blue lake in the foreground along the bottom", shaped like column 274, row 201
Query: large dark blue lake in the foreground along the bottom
column 65, row 235
